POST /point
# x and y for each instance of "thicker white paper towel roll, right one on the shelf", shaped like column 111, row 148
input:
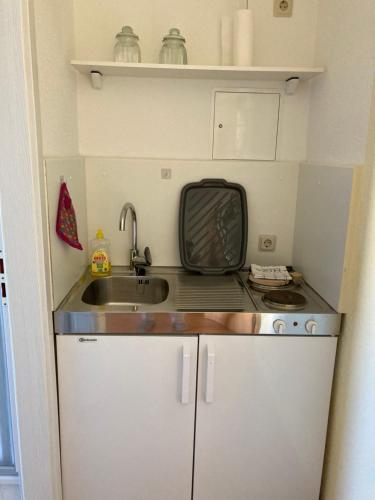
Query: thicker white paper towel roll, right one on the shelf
column 243, row 37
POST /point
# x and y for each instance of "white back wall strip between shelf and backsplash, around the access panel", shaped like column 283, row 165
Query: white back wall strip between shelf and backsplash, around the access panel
column 166, row 118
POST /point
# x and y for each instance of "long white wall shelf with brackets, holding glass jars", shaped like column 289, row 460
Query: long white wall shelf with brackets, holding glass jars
column 291, row 76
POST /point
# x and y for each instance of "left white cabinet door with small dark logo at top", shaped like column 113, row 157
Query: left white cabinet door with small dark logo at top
column 127, row 407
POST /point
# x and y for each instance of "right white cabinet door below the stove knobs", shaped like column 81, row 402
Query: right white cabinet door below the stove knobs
column 262, row 413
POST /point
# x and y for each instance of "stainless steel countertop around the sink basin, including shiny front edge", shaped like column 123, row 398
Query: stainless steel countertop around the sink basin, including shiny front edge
column 75, row 317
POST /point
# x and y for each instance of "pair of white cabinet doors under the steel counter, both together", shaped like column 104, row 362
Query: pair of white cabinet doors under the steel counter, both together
column 127, row 408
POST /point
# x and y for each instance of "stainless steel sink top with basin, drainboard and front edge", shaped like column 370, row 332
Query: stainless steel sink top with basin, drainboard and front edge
column 167, row 301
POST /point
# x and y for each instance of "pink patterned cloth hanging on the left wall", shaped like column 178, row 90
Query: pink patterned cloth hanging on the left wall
column 66, row 223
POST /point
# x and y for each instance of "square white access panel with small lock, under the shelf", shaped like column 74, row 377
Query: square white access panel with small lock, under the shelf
column 246, row 125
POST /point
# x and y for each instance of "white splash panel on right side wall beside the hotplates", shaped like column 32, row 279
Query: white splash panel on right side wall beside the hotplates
column 321, row 229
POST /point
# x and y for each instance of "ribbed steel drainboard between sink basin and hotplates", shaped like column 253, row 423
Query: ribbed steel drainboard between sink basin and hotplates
column 209, row 293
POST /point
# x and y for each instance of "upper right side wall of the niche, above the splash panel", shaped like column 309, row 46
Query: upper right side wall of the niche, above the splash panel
column 340, row 99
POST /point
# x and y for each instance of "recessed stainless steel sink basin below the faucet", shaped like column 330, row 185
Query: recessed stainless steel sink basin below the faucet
column 125, row 290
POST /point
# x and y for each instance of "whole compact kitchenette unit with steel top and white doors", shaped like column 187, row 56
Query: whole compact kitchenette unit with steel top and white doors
column 204, row 404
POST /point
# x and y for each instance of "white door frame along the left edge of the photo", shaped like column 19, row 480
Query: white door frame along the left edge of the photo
column 21, row 197
